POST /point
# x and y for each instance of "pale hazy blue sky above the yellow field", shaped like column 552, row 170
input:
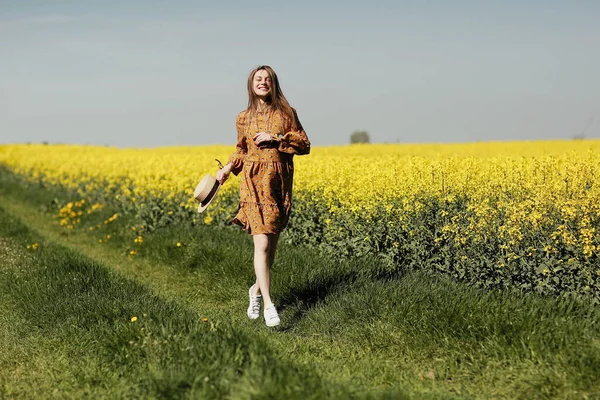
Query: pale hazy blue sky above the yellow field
column 162, row 73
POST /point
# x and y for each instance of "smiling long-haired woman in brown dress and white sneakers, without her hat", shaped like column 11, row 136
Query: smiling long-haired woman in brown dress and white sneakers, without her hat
column 269, row 134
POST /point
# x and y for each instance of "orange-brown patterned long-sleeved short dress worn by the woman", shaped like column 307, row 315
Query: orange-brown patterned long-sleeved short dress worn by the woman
column 267, row 172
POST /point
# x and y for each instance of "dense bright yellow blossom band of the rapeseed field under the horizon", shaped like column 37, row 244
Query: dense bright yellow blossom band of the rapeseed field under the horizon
column 359, row 176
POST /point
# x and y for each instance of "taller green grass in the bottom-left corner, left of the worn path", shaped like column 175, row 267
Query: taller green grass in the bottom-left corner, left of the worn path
column 68, row 328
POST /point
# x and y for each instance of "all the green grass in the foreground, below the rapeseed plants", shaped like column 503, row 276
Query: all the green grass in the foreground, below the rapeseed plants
column 348, row 329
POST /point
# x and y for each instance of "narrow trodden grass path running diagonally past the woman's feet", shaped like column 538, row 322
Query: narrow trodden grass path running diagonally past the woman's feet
column 222, row 301
